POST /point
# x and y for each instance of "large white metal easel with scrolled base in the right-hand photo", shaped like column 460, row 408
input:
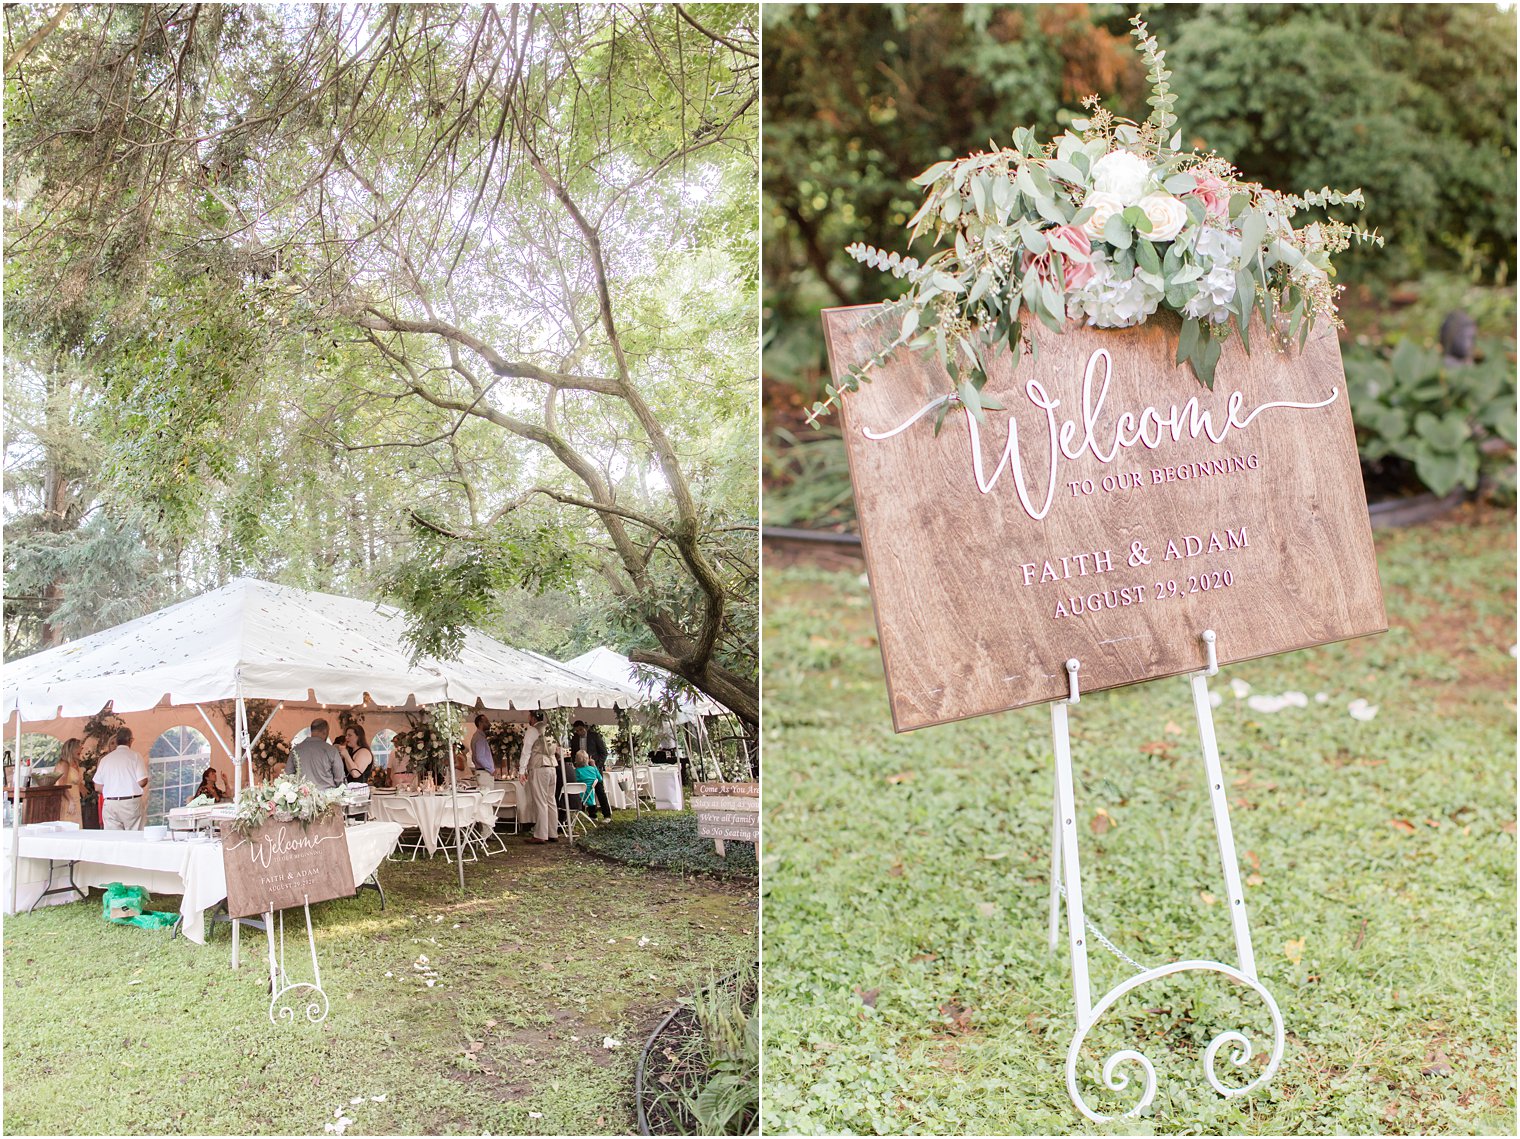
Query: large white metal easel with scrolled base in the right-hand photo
column 1065, row 857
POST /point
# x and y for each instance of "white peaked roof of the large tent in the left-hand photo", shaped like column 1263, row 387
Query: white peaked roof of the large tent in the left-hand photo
column 277, row 642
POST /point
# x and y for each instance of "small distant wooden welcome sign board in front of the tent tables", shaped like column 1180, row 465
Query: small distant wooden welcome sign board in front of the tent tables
column 287, row 865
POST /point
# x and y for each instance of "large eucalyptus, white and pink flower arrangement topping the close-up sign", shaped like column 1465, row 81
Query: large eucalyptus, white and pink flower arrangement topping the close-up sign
column 1110, row 224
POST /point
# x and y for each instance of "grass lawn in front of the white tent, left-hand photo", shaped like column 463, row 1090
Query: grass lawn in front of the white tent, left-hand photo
column 548, row 953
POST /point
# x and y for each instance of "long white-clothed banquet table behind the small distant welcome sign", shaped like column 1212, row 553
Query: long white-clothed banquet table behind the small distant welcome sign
column 191, row 869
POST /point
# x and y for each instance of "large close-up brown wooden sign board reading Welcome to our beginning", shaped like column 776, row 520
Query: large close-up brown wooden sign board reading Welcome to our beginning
column 1112, row 512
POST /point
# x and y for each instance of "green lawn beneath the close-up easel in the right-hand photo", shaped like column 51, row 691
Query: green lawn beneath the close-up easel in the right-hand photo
column 908, row 983
